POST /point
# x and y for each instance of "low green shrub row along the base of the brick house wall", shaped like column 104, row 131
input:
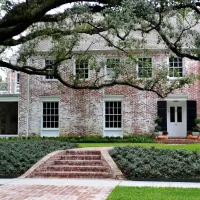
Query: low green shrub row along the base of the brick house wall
column 94, row 139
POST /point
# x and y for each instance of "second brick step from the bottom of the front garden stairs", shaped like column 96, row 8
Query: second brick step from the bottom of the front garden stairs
column 78, row 168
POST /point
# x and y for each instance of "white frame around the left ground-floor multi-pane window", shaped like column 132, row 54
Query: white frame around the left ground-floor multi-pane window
column 50, row 99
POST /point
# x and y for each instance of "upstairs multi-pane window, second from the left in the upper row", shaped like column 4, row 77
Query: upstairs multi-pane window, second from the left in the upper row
column 82, row 69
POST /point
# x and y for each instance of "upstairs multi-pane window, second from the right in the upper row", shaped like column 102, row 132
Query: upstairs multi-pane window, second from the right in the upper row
column 144, row 68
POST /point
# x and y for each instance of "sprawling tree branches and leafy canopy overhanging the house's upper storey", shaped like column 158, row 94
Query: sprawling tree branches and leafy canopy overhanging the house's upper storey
column 124, row 26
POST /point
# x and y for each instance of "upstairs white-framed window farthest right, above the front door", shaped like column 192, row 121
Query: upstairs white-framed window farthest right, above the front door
column 175, row 67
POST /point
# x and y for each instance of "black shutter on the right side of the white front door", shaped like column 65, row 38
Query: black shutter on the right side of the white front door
column 191, row 114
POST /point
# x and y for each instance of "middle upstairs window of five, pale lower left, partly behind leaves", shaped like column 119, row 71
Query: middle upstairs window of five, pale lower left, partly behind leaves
column 112, row 68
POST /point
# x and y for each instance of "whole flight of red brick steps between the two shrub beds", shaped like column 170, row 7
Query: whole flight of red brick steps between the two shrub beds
column 75, row 164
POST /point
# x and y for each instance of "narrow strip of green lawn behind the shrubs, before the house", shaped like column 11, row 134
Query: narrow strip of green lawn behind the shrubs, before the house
column 189, row 147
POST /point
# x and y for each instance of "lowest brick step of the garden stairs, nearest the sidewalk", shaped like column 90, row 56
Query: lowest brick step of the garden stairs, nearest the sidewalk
column 74, row 174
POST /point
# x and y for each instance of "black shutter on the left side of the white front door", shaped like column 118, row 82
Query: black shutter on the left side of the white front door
column 162, row 112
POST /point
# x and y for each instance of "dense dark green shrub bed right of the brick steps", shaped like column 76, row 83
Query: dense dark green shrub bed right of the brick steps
column 140, row 162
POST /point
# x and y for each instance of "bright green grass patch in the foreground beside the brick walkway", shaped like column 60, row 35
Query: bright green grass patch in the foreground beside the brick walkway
column 150, row 193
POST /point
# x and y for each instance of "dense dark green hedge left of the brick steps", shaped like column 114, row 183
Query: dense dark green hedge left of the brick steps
column 18, row 156
